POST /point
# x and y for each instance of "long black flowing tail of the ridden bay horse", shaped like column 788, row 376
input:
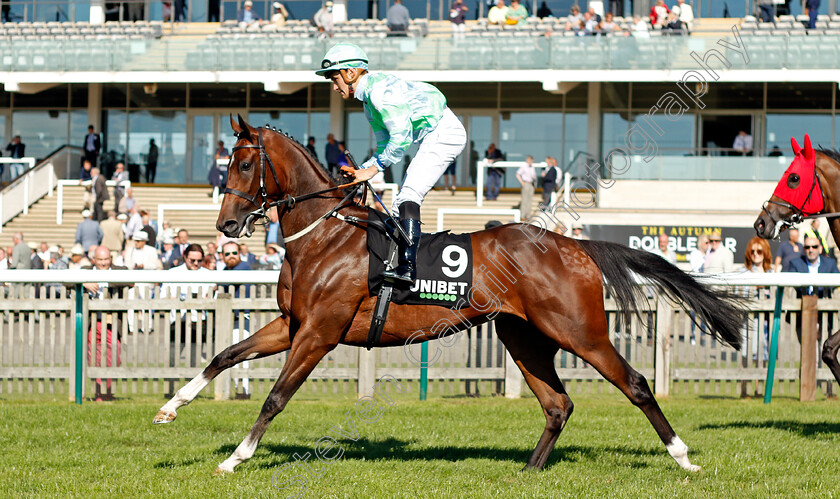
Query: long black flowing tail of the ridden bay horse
column 719, row 309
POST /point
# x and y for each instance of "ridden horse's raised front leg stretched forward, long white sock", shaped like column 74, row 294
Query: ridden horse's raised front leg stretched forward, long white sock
column 270, row 339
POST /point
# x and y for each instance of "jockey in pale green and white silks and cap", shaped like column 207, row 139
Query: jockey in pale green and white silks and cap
column 400, row 112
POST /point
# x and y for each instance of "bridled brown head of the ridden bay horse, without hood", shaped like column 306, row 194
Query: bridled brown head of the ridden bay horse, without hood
column 254, row 179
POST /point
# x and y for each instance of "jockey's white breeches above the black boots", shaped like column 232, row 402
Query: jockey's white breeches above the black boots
column 437, row 151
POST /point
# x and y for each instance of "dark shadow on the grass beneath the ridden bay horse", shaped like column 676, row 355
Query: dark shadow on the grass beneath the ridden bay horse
column 396, row 449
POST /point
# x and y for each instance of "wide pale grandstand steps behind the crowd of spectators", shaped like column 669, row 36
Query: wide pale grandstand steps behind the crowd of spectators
column 39, row 225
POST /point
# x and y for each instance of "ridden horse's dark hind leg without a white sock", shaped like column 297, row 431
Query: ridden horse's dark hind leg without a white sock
column 534, row 354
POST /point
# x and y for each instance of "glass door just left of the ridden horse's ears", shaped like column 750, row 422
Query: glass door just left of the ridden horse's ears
column 207, row 128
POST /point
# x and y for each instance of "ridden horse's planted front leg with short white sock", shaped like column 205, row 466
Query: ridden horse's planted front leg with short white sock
column 308, row 350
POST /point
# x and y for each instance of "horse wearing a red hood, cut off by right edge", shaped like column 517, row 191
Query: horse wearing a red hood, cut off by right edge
column 809, row 188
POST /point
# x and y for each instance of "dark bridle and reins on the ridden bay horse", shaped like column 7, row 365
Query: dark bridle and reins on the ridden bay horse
column 261, row 213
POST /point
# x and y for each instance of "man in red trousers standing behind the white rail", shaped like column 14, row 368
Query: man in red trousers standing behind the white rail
column 100, row 291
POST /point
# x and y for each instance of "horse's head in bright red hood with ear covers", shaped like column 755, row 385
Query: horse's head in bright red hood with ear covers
column 798, row 194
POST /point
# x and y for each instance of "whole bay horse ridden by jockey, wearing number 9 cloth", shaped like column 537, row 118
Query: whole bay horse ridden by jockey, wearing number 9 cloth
column 548, row 295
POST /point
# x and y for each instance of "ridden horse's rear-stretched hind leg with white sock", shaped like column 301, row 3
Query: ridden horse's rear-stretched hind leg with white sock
column 594, row 347
